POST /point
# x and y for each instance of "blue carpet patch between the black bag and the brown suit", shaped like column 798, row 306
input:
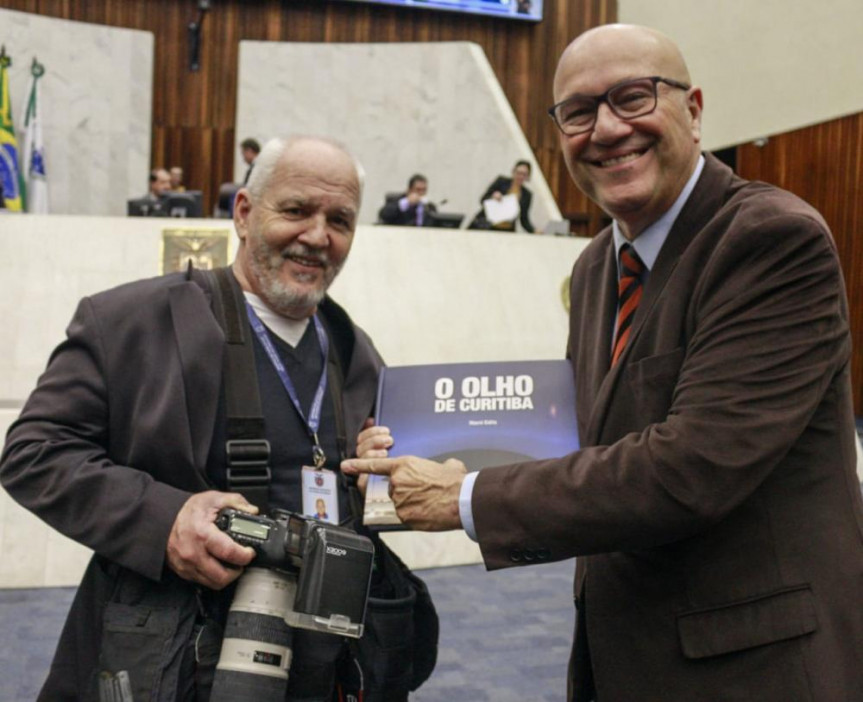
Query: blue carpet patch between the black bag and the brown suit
column 505, row 635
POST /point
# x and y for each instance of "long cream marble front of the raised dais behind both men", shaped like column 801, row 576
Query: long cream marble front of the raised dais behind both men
column 424, row 295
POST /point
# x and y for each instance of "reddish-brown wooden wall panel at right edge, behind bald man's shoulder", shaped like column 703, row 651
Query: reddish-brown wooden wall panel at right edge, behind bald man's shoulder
column 823, row 164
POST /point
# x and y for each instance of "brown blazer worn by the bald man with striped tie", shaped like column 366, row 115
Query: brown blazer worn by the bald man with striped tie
column 714, row 507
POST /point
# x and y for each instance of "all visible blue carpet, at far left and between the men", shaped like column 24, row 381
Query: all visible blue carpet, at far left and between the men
column 504, row 635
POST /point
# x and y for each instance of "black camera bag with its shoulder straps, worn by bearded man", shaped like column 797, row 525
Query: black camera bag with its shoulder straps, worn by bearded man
column 398, row 650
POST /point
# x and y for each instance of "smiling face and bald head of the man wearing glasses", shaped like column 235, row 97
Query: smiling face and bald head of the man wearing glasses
column 633, row 169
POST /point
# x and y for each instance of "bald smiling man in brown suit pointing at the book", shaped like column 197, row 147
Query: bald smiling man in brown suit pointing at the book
column 714, row 507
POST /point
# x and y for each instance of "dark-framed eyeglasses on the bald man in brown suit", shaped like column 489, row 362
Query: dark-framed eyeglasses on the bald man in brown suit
column 628, row 100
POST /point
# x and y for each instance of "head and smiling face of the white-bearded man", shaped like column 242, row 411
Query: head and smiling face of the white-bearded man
column 295, row 236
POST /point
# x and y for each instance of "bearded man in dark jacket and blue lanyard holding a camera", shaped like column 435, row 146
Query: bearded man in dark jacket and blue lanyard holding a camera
column 122, row 445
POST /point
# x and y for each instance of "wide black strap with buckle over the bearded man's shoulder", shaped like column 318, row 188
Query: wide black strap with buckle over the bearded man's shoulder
column 248, row 452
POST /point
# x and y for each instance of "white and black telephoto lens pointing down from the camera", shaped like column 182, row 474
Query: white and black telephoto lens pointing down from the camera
column 256, row 651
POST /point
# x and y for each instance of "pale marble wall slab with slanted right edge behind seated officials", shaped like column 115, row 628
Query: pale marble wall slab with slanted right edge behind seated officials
column 434, row 108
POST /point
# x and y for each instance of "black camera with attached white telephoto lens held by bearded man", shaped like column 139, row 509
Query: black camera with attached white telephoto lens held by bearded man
column 307, row 574
